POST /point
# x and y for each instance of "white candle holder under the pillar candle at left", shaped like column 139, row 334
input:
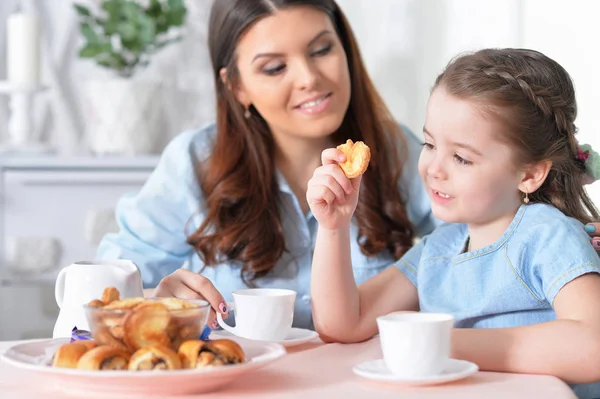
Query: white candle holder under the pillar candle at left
column 20, row 123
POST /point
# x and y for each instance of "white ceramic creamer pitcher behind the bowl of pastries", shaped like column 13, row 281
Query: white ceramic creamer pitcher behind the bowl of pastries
column 81, row 282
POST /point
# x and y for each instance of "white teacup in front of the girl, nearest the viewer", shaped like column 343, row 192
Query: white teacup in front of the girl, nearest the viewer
column 415, row 344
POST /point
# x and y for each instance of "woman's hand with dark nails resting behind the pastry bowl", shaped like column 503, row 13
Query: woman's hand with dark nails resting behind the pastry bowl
column 186, row 284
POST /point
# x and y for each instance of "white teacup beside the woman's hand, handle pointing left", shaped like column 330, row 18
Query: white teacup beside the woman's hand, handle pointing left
column 264, row 314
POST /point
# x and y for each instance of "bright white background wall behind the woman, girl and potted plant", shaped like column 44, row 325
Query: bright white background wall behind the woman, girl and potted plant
column 405, row 44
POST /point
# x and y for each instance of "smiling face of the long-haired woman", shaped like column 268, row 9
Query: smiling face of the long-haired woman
column 293, row 70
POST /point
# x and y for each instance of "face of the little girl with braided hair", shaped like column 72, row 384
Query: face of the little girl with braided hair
column 469, row 174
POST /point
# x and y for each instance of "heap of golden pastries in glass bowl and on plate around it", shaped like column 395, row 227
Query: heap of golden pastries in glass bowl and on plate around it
column 142, row 334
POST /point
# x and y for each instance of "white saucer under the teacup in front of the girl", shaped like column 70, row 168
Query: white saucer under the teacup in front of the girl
column 454, row 370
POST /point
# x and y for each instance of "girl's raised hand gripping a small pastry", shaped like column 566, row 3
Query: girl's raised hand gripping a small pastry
column 332, row 197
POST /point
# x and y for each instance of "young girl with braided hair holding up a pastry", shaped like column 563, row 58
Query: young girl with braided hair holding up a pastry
column 513, row 265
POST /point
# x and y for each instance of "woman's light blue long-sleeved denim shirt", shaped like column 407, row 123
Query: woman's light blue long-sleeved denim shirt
column 153, row 225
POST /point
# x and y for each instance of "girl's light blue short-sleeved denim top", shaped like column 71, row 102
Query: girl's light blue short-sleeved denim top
column 512, row 282
